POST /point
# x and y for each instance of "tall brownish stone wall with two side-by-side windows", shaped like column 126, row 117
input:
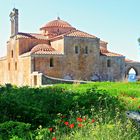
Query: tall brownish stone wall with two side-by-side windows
column 81, row 66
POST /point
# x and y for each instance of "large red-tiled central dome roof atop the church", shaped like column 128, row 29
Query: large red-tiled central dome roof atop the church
column 57, row 23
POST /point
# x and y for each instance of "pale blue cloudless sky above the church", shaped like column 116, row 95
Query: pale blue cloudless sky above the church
column 114, row 21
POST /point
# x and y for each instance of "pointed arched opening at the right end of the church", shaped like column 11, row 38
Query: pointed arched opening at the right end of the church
column 131, row 74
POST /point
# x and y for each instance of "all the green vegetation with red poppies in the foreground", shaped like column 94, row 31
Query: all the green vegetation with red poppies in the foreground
column 51, row 112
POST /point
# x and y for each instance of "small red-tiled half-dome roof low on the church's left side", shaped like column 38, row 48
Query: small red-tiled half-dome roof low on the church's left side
column 42, row 48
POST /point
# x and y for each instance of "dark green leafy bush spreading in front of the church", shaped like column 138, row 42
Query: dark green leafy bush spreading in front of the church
column 40, row 106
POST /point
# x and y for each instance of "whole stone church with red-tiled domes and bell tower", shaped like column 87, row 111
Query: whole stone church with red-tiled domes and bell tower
column 60, row 52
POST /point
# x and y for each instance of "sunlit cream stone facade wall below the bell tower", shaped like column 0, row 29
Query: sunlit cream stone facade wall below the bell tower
column 14, row 69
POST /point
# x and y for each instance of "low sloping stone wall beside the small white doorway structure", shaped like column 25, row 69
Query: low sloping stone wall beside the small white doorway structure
column 51, row 80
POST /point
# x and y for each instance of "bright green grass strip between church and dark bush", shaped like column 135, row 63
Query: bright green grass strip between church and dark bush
column 113, row 88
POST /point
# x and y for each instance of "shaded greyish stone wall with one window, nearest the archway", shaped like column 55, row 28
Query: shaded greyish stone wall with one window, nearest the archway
column 115, row 72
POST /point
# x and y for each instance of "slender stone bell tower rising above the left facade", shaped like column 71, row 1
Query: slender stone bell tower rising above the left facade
column 14, row 22
